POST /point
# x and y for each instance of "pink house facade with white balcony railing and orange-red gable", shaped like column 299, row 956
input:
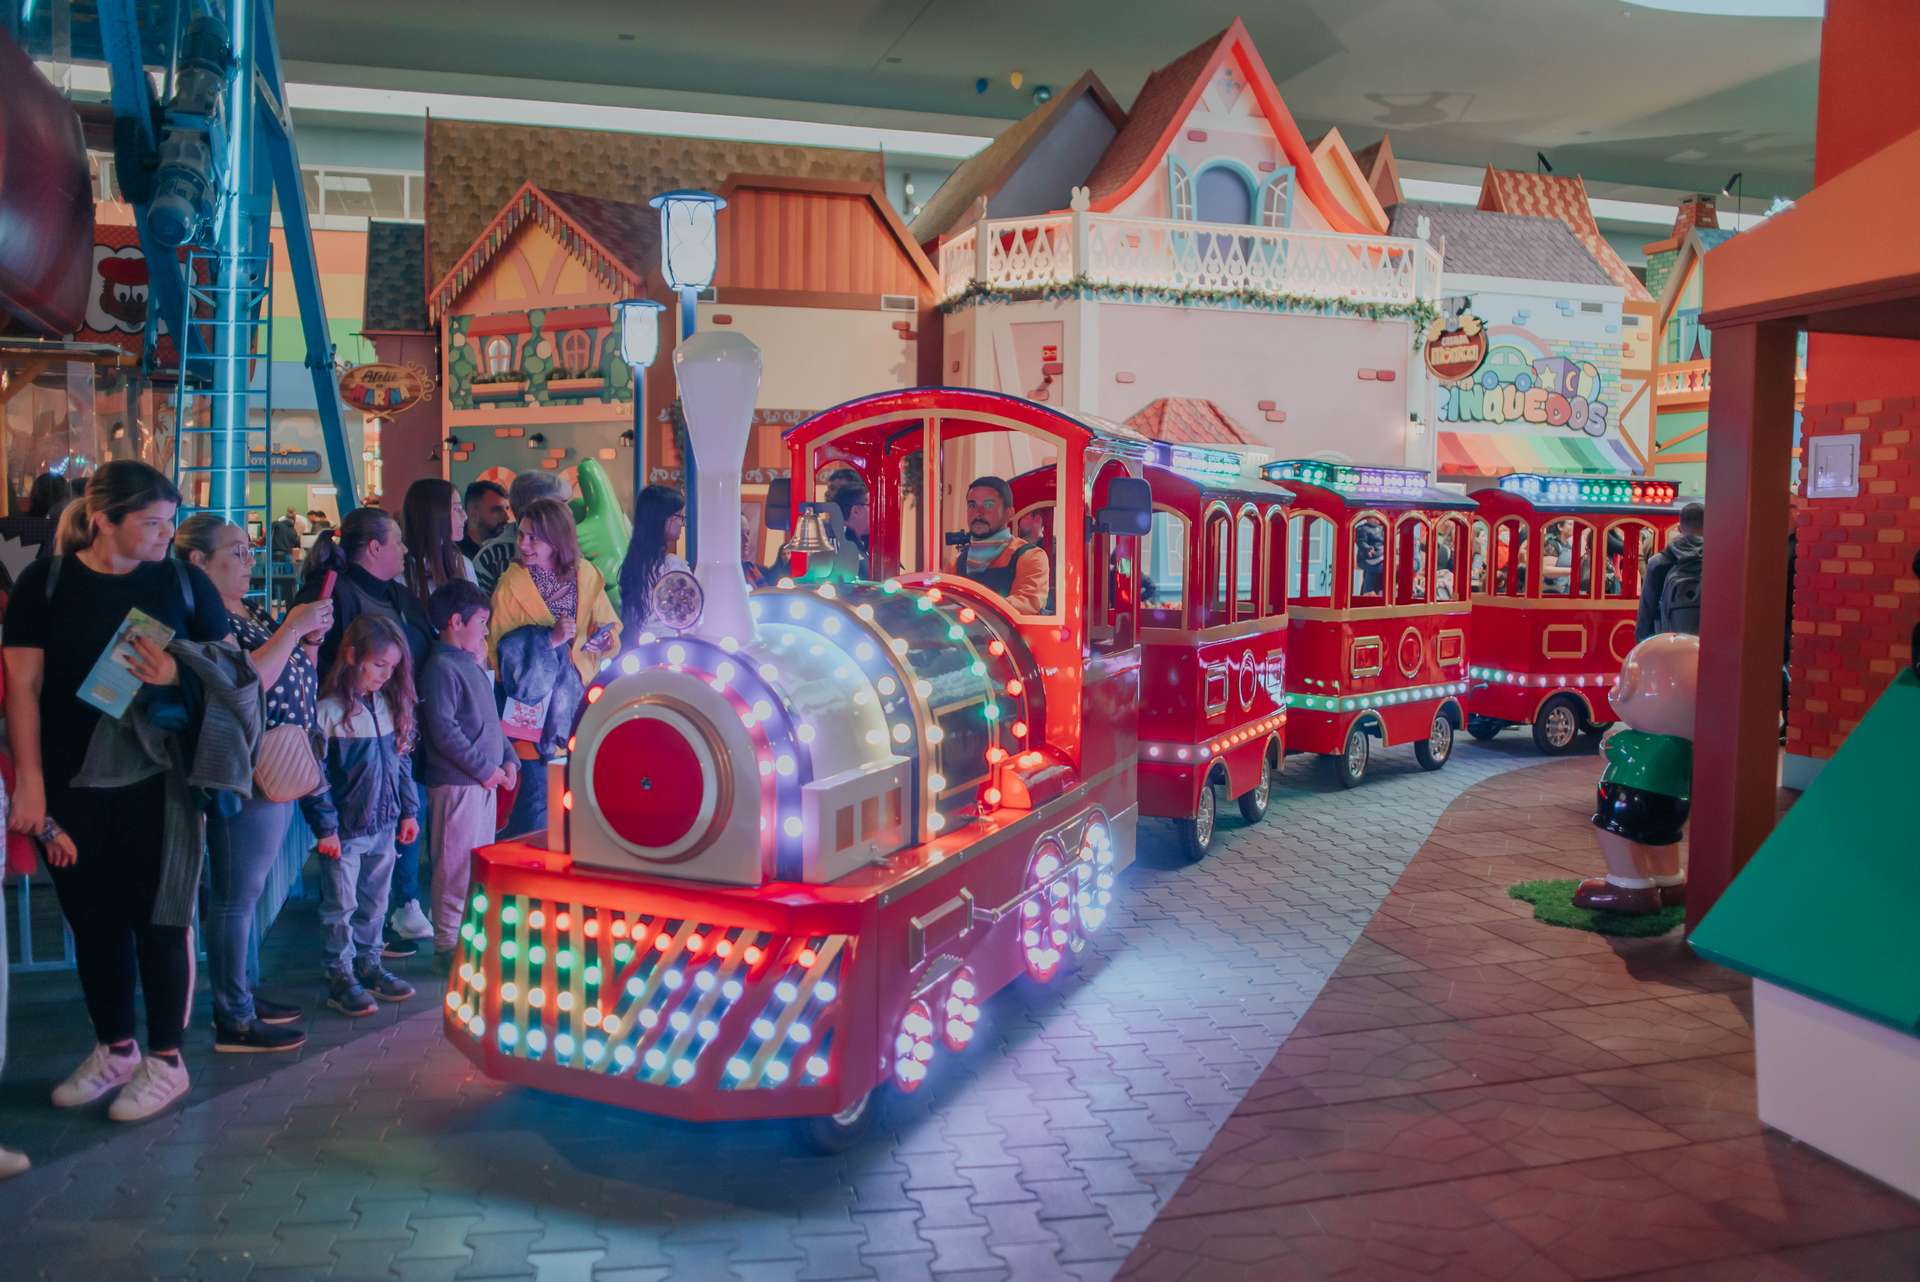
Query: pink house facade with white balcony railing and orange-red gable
column 1193, row 249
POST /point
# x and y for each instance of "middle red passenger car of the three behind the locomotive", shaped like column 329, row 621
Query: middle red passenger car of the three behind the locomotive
column 1380, row 617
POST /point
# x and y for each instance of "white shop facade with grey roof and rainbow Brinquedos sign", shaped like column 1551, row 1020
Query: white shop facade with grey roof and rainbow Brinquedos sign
column 1527, row 352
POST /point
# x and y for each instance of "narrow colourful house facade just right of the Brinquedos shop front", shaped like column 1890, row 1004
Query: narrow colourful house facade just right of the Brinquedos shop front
column 1683, row 352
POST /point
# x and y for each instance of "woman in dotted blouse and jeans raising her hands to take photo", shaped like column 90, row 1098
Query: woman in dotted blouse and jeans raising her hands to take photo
column 245, row 845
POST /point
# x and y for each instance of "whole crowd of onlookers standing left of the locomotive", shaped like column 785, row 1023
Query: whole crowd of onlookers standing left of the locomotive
column 400, row 701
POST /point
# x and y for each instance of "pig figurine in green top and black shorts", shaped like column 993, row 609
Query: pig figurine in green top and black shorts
column 1644, row 792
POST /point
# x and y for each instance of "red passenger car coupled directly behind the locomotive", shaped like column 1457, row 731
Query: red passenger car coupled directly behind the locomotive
column 1214, row 634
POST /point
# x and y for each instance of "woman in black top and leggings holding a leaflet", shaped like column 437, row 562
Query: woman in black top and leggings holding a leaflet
column 105, row 845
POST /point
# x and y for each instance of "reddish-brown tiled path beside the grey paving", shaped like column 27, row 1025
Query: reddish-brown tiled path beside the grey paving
column 1477, row 1095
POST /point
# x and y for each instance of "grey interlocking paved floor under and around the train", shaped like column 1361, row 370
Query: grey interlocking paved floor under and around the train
column 1044, row 1152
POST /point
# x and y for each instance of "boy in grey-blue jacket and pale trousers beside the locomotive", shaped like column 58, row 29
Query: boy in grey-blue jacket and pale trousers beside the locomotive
column 464, row 755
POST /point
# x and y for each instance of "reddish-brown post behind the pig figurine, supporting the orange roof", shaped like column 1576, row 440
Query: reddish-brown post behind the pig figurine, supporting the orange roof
column 1744, row 605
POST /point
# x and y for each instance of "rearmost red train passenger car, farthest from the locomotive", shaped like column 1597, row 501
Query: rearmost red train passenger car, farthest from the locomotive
column 1556, row 588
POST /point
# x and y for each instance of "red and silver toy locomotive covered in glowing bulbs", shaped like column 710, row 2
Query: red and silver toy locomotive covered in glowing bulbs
column 805, row 834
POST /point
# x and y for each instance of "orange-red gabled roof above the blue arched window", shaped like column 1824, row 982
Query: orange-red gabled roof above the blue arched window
column 1170, row 97
